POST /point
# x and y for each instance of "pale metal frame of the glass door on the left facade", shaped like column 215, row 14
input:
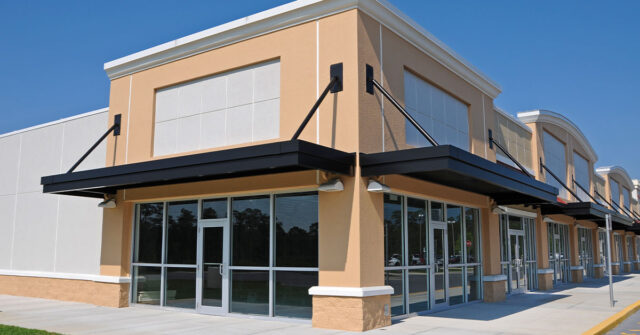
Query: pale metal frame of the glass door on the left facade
column 202, row 225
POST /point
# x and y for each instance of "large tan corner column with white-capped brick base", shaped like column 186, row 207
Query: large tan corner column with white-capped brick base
column 351, row 294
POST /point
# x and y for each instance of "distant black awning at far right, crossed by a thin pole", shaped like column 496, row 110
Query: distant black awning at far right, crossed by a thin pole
column 589, row 211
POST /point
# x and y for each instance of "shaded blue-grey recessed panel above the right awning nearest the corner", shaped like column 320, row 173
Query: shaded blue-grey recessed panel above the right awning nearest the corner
column 440, row 114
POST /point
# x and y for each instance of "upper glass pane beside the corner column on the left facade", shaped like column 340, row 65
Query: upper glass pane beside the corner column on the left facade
column 297, row 230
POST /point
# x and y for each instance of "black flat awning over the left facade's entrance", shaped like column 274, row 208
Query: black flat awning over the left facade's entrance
column 289, row 156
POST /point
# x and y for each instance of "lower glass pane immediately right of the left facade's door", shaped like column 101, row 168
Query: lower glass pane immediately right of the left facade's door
column 250, row 292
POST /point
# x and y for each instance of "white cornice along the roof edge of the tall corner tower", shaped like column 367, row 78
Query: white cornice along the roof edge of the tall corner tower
column 292, row 14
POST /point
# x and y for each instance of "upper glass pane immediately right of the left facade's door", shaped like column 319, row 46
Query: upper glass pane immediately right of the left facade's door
column 250, row 234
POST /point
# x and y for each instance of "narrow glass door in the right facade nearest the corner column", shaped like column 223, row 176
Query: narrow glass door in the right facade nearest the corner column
column 440, row 298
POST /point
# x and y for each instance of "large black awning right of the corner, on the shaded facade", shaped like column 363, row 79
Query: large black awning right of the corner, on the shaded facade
column 450, row 166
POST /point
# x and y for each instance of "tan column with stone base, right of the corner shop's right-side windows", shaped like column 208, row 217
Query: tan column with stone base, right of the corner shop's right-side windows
column 494, row 281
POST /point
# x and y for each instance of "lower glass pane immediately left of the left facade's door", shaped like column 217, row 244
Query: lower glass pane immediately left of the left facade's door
column 181, row 287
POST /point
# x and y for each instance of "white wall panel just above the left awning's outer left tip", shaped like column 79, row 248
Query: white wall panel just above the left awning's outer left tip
column 41, row 150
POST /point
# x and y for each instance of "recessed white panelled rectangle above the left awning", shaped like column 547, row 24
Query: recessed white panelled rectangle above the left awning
column 239, row 106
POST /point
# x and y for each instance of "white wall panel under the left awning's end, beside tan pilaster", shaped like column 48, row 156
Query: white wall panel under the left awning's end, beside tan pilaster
column 79, row 235
